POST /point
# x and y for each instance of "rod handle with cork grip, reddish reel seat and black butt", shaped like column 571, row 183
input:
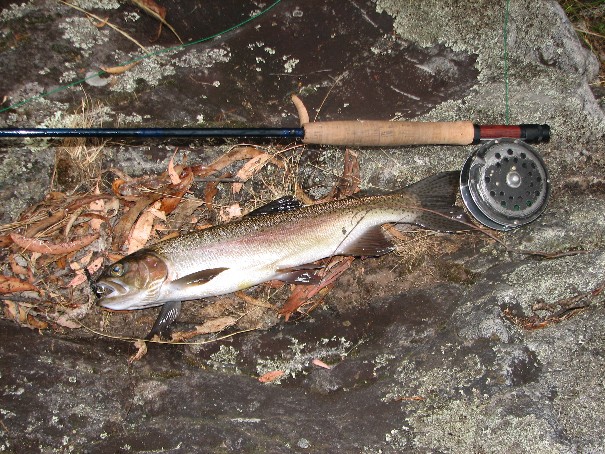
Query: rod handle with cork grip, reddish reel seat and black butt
column 396, row 133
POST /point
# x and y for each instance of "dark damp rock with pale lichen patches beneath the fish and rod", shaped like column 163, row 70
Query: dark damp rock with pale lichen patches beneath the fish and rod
column 497, row 349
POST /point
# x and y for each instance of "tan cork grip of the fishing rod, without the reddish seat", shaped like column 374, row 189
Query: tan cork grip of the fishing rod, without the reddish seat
column 388, row 133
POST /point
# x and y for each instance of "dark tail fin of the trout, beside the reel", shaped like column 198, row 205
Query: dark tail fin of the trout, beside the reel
column 437, row 197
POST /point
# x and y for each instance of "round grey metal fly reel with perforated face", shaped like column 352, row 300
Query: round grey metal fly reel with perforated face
column 504, row 184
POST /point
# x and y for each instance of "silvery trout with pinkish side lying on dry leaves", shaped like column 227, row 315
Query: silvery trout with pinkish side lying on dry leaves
column 279, row 241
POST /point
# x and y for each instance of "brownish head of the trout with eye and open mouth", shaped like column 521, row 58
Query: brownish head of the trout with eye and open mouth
column 133, row 282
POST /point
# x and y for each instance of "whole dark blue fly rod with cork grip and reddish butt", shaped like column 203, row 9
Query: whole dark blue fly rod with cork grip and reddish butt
column 352, row 133
